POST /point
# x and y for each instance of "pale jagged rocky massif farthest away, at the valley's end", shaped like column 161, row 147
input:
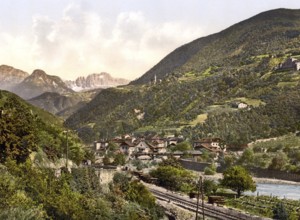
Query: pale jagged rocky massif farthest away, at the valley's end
column 94, row 81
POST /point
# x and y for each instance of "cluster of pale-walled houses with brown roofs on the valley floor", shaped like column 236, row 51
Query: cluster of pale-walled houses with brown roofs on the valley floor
column 158, row 147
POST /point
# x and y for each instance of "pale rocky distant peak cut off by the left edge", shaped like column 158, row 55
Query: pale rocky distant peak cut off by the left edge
column 10, row 77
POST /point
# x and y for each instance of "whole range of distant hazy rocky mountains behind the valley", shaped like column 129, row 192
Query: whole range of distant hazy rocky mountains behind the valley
column 51, row 92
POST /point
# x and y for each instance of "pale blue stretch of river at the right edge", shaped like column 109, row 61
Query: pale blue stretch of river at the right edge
column 279, row 190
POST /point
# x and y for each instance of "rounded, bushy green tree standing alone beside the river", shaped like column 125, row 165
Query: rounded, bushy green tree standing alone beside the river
column 238, row 179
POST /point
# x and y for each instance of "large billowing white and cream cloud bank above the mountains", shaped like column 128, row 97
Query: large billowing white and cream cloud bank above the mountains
column 81, row 42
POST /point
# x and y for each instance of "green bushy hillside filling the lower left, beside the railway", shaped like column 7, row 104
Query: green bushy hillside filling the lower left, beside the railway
column 31, row 141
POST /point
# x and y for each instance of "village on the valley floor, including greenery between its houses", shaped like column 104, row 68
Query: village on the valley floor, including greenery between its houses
column 156, row 148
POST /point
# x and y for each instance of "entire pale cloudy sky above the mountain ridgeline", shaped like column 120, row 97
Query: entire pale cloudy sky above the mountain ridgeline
column 71, row 38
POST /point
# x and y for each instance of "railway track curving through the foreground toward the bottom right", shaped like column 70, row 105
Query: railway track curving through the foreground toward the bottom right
column 211, row 211
